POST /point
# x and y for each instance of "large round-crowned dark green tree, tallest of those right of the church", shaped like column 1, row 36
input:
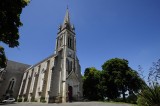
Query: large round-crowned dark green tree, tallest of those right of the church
column 121, row 76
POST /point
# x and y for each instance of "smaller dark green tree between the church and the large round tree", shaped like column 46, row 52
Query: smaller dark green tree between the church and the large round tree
column 91, row 84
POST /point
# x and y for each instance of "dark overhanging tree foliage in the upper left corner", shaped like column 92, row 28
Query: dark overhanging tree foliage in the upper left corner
column 10, row 11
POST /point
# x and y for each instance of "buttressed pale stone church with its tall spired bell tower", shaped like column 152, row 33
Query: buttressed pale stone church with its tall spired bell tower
column 58, row 77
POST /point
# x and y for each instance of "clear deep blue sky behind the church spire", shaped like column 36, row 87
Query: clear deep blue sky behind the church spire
column 105, row 29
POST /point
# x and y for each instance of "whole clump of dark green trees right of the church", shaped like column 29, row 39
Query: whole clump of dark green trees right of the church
column 115, row 79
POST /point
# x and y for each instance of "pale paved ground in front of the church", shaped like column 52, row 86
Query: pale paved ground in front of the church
column 67, row 104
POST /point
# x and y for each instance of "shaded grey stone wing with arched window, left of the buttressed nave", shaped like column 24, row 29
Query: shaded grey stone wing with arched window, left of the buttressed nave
column 14, row 71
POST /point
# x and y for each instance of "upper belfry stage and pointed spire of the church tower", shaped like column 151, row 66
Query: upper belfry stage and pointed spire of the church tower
column 66, row 35
